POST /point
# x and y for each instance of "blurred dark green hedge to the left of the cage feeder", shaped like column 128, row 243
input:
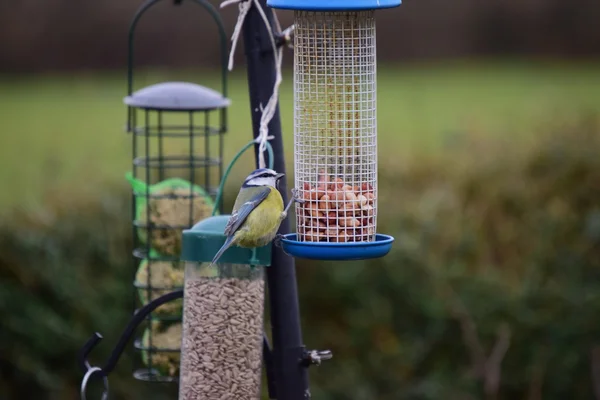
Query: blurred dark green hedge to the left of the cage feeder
column 65, row 274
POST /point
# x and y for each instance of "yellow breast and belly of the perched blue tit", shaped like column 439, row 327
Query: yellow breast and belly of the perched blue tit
column 263, row 222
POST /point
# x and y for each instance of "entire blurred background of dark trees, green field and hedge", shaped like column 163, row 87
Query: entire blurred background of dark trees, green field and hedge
column 489, row 171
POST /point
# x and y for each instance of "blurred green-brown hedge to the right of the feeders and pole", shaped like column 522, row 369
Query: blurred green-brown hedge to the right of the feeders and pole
column 493, row 280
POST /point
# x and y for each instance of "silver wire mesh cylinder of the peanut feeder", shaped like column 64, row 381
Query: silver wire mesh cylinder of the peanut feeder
column 335, row 126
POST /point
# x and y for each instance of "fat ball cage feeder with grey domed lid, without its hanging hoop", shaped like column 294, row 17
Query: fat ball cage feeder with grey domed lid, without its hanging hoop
column 183, row 202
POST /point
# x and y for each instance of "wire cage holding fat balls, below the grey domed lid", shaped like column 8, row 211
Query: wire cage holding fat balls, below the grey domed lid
column 167, row 145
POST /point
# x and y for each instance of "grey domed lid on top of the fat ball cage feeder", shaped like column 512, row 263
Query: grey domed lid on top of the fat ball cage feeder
column 177, row 96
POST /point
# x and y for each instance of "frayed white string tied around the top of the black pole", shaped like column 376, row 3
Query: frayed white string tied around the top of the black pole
column 269, row 111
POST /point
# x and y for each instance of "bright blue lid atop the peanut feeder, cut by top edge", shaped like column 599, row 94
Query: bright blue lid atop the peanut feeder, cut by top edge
column 333, row 5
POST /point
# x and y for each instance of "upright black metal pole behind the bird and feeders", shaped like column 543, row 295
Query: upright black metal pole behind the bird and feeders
column 291, row 376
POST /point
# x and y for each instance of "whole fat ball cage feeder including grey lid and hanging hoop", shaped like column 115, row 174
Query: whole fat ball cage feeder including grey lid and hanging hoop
column 179, row 149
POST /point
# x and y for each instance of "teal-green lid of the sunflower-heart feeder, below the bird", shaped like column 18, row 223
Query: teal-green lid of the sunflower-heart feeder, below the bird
column 202, row 241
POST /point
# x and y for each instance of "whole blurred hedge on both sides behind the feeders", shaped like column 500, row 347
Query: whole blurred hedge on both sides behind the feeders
column 492, row 290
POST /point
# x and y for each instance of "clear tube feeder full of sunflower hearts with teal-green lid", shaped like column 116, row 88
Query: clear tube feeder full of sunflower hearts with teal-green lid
column 221, row 350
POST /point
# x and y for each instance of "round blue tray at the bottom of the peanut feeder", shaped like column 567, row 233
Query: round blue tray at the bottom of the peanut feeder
column 337, row 251
